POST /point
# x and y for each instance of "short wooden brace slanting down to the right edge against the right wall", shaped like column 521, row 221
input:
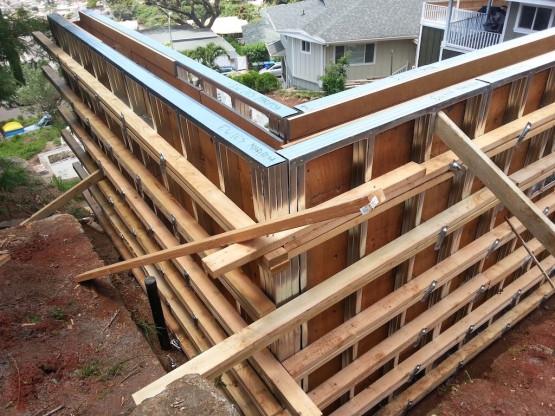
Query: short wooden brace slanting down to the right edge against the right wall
column 508, row 193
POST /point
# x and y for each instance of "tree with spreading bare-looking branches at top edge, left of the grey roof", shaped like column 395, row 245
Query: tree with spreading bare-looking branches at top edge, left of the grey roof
column 202, row 12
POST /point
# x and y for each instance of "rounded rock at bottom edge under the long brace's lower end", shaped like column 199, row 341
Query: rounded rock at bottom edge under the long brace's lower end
column 191, row 395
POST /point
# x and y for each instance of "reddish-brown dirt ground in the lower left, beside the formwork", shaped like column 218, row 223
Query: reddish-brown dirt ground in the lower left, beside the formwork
column 57, row 346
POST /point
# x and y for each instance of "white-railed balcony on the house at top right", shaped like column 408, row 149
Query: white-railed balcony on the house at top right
column 467, row 27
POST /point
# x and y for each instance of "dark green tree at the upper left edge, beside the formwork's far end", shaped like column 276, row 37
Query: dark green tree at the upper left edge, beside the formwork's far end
column 14, row 28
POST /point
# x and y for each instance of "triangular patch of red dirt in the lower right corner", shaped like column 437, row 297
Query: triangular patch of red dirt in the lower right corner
column 515, row 376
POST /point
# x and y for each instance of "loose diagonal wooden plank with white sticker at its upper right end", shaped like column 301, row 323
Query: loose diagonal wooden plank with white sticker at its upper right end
column 306, row 217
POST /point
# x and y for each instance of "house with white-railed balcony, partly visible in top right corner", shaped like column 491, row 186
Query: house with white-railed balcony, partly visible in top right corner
column 477, row 24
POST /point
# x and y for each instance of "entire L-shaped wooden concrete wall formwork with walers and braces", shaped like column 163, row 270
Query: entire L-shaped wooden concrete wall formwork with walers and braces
column 331, row 258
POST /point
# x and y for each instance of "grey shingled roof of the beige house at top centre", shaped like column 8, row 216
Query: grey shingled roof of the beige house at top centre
column 335, row 21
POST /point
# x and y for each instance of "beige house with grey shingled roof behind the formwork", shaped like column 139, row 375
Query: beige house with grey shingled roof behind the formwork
column 379, row 35
